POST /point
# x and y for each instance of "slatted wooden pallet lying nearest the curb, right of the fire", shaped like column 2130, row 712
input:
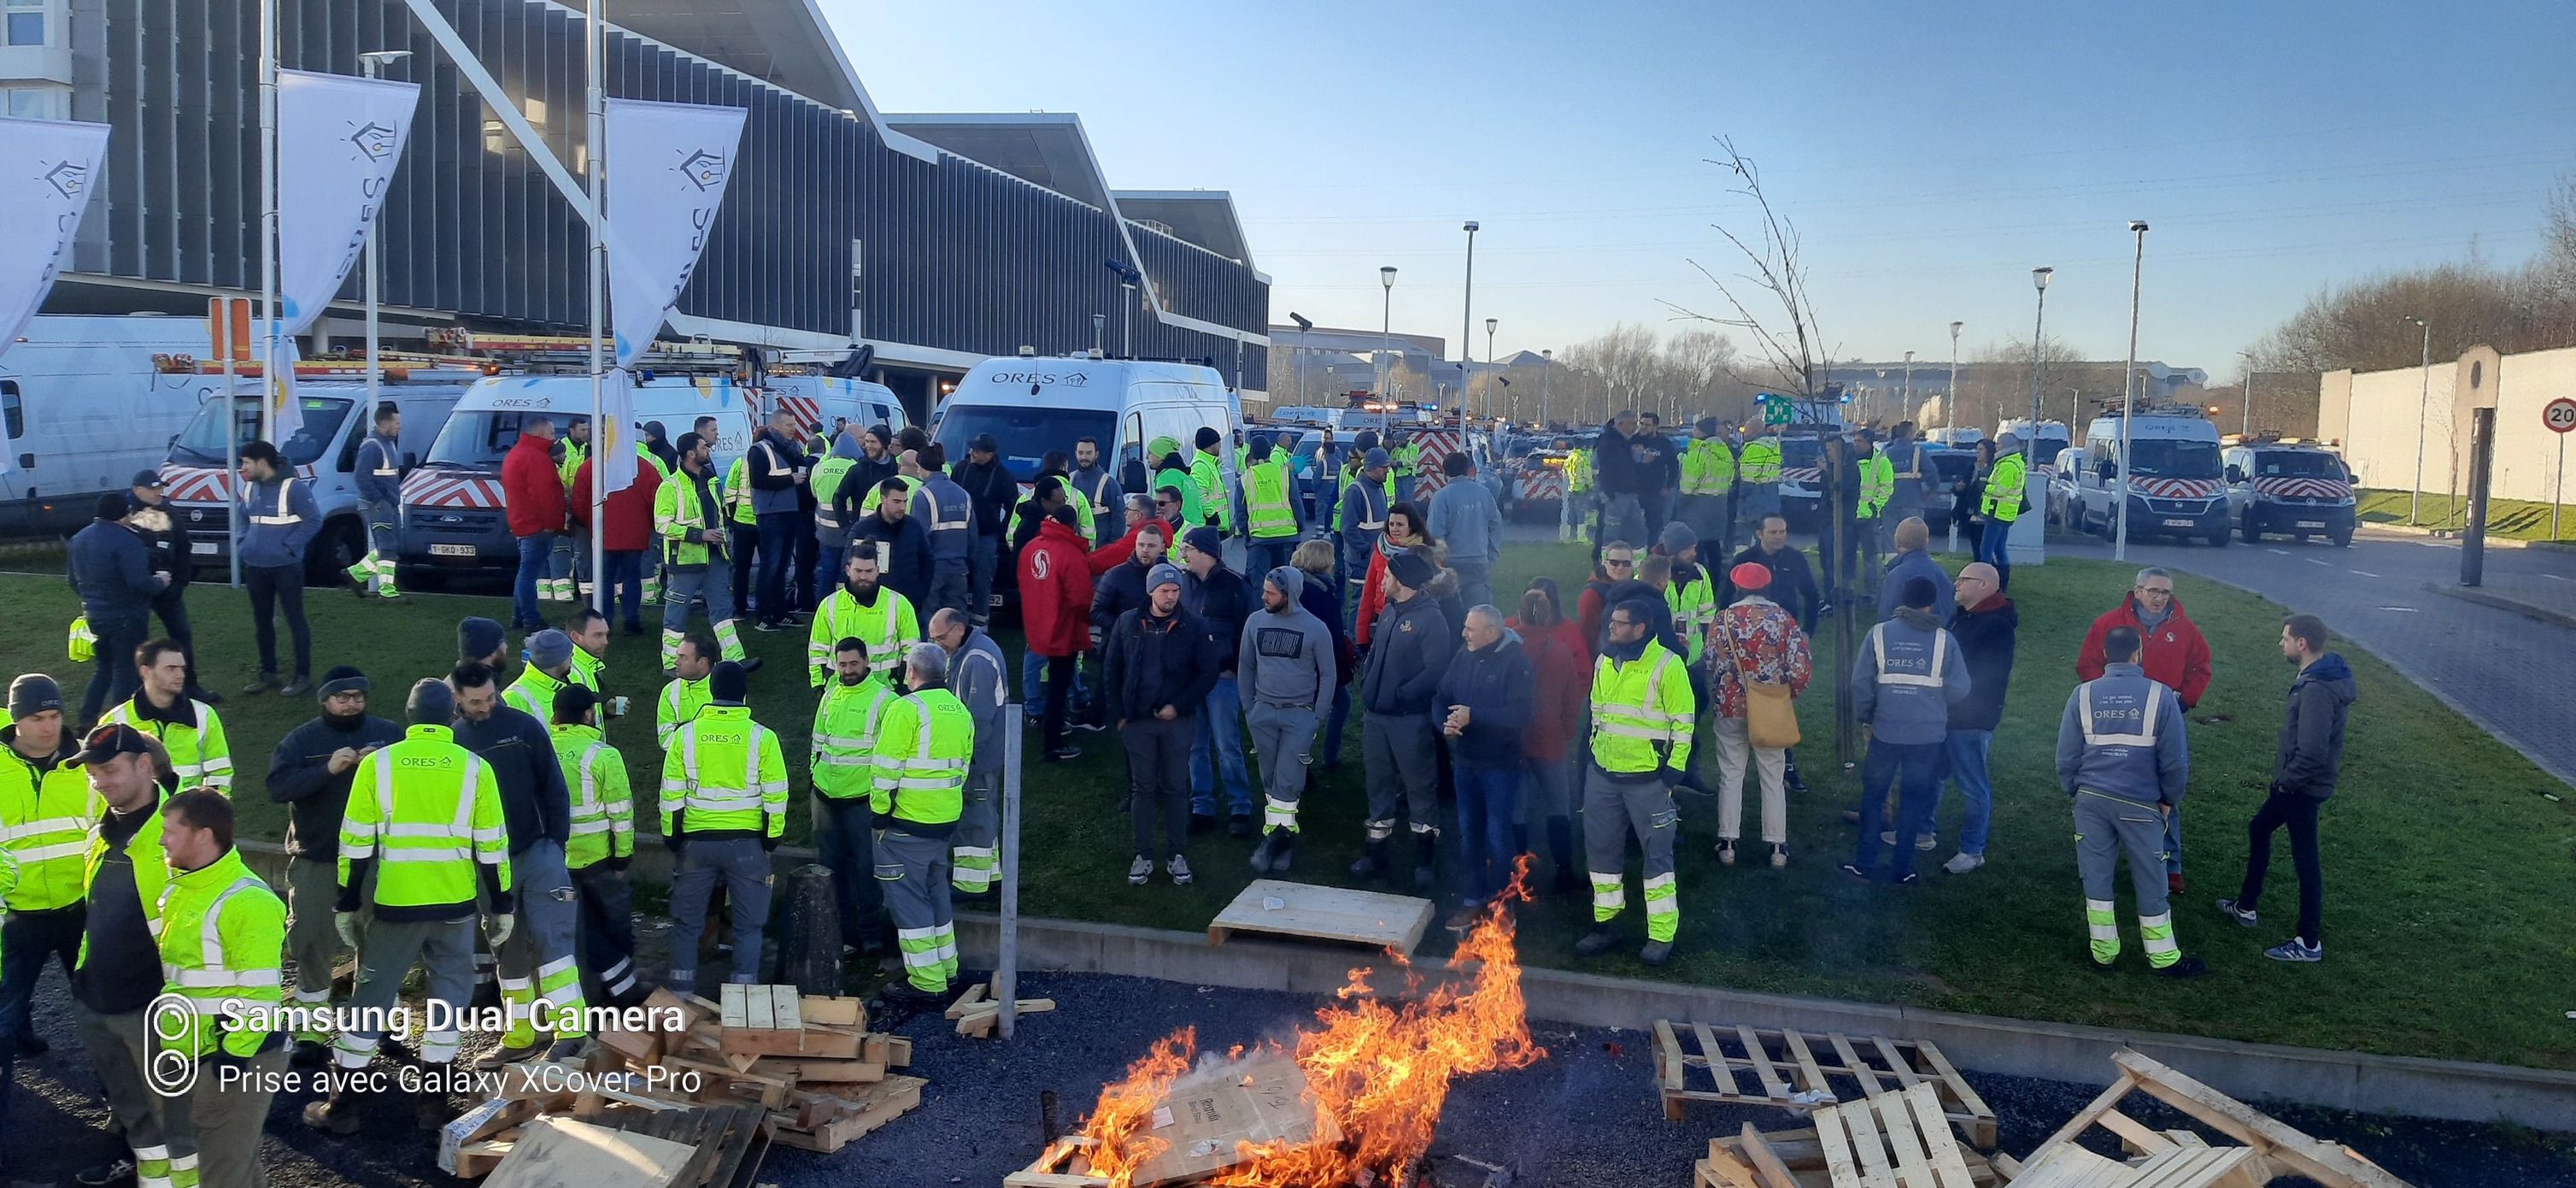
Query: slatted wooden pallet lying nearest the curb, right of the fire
column 1802, row 1071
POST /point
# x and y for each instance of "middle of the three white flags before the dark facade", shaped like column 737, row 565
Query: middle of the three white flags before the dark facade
column 339, row 143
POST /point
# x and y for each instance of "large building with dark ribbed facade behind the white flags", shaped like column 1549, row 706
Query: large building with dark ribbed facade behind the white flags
column 939, row 241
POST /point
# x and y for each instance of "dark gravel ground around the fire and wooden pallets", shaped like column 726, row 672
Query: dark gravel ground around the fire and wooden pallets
column 1580, row 1117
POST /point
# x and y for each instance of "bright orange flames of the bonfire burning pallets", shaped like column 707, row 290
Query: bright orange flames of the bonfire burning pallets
column 1377, row 1071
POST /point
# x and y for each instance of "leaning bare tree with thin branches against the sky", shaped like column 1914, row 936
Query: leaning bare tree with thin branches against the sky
column 1768, row 298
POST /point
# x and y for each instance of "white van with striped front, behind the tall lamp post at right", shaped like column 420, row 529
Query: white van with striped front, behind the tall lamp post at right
column 2173, row 478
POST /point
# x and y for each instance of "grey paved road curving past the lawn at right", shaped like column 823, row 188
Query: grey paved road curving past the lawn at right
column 2500, row 669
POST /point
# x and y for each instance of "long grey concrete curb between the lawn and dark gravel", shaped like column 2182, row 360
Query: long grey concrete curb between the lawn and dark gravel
column 2345, row 1081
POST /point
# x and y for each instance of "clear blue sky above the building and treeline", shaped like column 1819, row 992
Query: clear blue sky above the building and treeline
column 1931, row 156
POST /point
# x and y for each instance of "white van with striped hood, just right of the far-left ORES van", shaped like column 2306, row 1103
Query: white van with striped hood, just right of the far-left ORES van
column 323, row 455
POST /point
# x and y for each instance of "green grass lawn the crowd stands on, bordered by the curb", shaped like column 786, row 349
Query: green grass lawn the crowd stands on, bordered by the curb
column 2446, row 854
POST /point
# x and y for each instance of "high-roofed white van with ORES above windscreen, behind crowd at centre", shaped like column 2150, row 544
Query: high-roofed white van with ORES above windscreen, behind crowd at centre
column 1034, row 406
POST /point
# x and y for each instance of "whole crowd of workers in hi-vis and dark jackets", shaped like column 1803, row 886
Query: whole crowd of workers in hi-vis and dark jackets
column 488, row 834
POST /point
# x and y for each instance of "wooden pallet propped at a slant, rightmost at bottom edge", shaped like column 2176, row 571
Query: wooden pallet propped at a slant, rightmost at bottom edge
column 2183, row 1158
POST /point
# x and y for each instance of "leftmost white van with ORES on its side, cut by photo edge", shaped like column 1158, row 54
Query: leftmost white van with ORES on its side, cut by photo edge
column 86, row 408
